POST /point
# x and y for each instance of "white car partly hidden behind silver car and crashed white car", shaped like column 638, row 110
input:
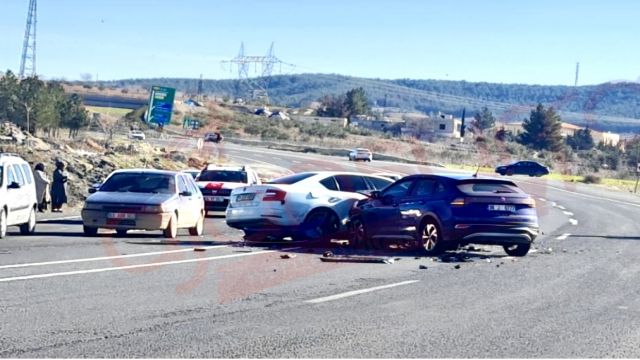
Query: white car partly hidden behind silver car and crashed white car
column 216, row 183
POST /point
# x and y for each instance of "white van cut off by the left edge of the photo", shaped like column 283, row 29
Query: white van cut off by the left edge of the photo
column 18, row 202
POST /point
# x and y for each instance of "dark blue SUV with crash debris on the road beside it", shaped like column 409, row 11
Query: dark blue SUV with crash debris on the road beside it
column 441, row 211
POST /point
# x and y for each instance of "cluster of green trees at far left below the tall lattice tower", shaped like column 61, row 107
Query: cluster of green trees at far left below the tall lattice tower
column 33, row 104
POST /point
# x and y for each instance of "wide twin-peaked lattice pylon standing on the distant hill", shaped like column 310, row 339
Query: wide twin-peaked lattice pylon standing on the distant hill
column 263, row 67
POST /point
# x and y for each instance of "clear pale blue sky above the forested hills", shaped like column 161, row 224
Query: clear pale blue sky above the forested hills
column 534, row 42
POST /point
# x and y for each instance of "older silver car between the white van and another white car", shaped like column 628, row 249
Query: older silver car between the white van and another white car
column 145, row 199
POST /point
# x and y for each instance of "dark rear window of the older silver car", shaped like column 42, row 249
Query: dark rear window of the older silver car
column 140, row 183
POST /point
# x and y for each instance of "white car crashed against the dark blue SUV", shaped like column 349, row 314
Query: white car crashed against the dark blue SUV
column 306, row 206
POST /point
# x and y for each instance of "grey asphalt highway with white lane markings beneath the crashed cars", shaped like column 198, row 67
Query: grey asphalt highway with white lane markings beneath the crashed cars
column 574, row 295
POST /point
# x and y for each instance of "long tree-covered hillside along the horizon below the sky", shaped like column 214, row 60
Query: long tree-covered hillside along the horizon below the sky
column 610, row 106
